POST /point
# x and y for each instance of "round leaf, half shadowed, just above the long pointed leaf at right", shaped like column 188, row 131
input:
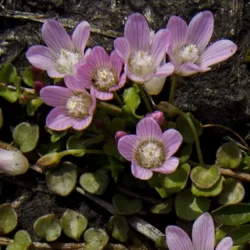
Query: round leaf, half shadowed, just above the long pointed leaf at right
column 233, row 192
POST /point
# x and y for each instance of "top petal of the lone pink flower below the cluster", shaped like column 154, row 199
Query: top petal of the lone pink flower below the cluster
column 148, row 128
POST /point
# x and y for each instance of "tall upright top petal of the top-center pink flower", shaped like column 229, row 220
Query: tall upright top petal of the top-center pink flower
column 137, row 32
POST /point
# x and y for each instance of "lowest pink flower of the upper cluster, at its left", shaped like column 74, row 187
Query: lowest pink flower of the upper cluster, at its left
column 74, row 106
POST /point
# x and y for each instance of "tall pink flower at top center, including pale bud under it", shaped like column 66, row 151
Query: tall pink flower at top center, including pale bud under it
column 143, row 54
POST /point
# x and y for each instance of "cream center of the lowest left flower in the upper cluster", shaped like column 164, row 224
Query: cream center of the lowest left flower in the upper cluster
column 78, row 105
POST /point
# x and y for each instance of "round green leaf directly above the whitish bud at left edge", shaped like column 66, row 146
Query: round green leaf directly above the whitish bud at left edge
column 26, row 136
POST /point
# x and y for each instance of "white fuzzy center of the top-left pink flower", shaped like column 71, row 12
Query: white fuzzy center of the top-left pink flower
column 66, row 60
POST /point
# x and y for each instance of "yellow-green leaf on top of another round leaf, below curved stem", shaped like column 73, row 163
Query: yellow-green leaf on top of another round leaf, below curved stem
column 205, row 178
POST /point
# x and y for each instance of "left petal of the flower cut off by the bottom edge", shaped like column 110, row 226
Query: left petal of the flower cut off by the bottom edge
column 177, row 239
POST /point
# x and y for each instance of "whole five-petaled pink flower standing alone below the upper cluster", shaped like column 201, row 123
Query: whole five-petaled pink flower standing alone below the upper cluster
column 150, row 149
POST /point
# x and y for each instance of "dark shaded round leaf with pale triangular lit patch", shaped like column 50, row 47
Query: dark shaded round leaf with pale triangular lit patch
column 190, row 207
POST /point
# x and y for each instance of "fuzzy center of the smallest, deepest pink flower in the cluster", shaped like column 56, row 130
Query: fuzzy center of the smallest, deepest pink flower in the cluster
column 104, row 79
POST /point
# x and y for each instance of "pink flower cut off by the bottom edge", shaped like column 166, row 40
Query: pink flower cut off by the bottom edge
column 203, row 236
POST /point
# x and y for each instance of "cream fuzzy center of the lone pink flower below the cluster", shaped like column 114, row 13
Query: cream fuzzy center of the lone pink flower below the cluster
column 150, row 154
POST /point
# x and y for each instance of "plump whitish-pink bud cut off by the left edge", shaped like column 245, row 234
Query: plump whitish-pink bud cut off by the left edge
column 13, row 162
